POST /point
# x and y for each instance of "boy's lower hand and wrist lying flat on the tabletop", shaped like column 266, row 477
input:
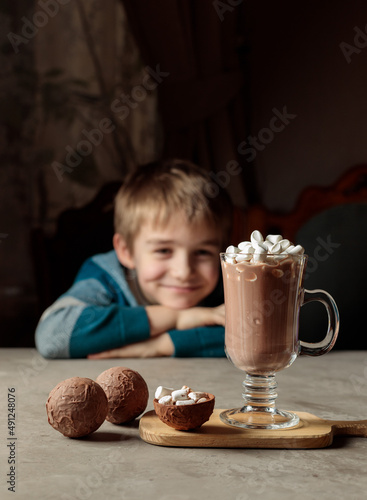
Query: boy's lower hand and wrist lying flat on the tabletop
column 160, row 345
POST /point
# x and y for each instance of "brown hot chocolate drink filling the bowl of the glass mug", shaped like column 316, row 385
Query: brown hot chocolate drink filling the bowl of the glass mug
column 262, row 305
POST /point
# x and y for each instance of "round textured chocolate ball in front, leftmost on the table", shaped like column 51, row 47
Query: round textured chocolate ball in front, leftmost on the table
column 77, row 407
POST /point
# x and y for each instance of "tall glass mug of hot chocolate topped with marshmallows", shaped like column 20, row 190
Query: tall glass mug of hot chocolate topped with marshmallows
column 263, row 294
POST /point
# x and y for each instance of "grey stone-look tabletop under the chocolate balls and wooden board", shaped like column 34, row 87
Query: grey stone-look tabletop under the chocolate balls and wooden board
column 115, row 463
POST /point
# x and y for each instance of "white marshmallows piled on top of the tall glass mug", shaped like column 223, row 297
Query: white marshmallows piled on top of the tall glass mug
column 273, row 247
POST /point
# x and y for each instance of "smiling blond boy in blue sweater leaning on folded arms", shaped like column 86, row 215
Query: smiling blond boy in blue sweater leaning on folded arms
column 158, row 293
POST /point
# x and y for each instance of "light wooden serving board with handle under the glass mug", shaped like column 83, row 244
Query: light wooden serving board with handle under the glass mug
column 311, row 432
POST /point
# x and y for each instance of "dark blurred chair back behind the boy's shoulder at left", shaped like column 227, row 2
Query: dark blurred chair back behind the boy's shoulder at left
column 80, row 233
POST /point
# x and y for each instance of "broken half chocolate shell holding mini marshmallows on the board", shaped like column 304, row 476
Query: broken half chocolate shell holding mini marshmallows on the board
column 185, row 417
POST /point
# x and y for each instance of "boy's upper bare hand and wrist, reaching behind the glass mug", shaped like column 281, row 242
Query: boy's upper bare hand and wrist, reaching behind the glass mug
column 200, row 316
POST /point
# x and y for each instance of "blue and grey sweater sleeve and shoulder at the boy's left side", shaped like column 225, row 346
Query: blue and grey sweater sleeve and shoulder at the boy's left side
column 90, row 317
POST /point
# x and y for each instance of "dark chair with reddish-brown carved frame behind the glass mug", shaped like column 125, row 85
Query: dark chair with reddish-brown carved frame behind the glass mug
column 331, row 224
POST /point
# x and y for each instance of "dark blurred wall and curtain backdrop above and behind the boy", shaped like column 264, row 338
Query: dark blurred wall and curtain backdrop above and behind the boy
column 230, row 65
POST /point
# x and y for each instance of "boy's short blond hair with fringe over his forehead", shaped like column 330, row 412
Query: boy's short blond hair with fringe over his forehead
column 161, row 190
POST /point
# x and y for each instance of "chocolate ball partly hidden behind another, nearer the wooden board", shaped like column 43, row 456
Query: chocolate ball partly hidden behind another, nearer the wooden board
column 127, row 393
